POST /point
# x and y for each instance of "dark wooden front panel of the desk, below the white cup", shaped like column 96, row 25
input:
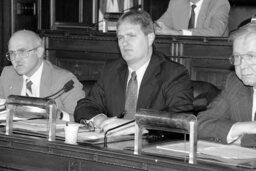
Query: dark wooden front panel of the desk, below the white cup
column 19, row 152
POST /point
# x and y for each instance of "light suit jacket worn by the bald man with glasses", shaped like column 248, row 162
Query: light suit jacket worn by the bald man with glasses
column 52, row 80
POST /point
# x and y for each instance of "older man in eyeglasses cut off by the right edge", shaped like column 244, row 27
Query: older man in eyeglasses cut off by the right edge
column 230, row 118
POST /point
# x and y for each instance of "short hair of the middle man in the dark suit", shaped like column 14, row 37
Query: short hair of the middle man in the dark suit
column 139, row 17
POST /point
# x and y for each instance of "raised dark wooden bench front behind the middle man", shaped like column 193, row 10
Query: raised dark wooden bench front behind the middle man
column 206, row 58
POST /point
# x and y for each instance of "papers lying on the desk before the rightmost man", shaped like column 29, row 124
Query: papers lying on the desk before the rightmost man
column 210, row 152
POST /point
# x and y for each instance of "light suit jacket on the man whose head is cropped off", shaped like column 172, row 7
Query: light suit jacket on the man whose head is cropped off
column 212, row 19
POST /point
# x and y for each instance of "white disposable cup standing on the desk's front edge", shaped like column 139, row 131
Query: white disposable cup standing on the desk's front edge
column 71, row 132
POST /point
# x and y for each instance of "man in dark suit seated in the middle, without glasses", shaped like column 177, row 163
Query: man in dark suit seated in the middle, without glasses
column 160, row 83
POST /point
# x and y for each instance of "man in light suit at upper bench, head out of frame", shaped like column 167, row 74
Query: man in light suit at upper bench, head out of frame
column 211, row 18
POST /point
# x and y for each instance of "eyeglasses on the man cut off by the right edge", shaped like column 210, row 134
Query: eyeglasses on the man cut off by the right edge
column 236, row 59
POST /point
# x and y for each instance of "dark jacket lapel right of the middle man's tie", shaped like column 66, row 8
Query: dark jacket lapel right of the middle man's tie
column 149, row 84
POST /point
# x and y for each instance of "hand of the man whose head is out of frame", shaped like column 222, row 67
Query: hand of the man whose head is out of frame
column 162, row 29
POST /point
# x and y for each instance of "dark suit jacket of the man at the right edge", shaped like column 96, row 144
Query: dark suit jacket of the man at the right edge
column 234, row 104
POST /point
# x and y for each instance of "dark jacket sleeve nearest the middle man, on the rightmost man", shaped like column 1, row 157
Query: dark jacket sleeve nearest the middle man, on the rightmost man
column 215, row 123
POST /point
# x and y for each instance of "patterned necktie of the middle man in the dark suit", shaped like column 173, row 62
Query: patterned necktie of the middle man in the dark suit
column 131, row 97
